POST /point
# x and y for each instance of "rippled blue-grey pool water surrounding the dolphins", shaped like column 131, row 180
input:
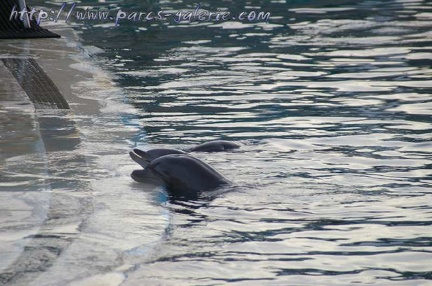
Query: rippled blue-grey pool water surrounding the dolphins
column 332, row 104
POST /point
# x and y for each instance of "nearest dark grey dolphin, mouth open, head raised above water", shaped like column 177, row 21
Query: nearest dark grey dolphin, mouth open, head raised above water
column 184, row 175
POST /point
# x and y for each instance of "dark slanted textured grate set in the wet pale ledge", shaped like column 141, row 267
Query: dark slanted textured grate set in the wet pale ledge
column 35, row 82
